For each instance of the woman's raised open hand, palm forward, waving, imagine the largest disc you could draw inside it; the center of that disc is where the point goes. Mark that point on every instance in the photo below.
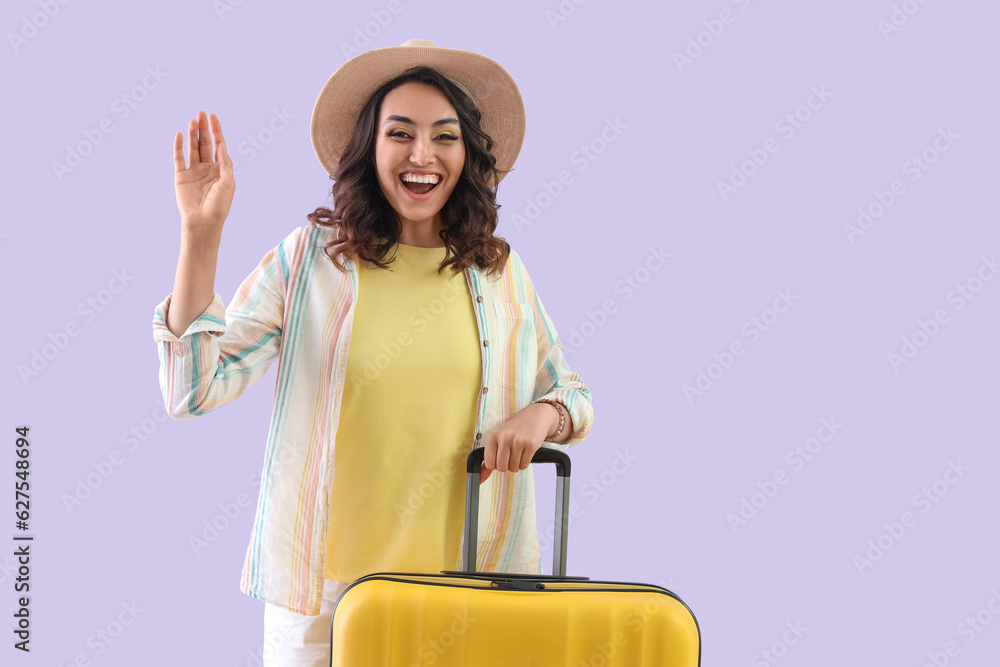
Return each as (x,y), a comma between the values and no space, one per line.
(204,189)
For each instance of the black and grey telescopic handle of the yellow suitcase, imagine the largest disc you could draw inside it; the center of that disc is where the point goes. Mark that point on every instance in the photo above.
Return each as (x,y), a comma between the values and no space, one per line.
(471,531)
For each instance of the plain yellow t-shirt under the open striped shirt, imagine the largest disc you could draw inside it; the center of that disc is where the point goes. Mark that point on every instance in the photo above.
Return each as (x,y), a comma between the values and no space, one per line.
(407,420)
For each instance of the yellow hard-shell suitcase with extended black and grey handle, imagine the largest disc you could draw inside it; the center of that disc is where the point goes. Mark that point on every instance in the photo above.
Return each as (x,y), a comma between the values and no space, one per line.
(486,619)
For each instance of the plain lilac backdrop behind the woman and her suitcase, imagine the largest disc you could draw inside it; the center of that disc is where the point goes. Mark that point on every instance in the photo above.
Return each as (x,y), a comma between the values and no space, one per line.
(662,519)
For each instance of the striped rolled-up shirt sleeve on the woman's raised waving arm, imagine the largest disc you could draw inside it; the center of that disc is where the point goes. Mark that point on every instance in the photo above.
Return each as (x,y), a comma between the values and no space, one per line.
(224,350)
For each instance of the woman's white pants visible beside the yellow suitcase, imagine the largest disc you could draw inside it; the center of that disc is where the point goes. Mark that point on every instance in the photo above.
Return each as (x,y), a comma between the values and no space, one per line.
(297,640)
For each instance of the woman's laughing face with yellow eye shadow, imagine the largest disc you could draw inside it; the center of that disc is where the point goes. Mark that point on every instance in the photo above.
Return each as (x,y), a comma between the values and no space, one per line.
(418,133)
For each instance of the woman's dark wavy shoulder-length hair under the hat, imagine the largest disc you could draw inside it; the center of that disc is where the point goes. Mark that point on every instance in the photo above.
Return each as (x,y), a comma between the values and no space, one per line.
(365,216)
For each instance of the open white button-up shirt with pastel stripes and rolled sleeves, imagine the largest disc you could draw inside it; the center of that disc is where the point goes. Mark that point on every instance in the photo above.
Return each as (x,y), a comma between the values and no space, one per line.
(297,308)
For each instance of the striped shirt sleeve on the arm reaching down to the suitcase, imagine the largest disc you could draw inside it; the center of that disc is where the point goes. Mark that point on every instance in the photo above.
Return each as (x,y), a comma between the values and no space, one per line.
(554,379)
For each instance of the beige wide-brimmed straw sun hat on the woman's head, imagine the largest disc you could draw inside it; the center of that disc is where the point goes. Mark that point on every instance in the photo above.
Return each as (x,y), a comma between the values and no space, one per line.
(346,92)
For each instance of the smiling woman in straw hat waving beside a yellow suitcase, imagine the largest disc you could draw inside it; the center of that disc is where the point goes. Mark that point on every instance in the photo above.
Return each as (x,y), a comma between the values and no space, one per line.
(405,332)
